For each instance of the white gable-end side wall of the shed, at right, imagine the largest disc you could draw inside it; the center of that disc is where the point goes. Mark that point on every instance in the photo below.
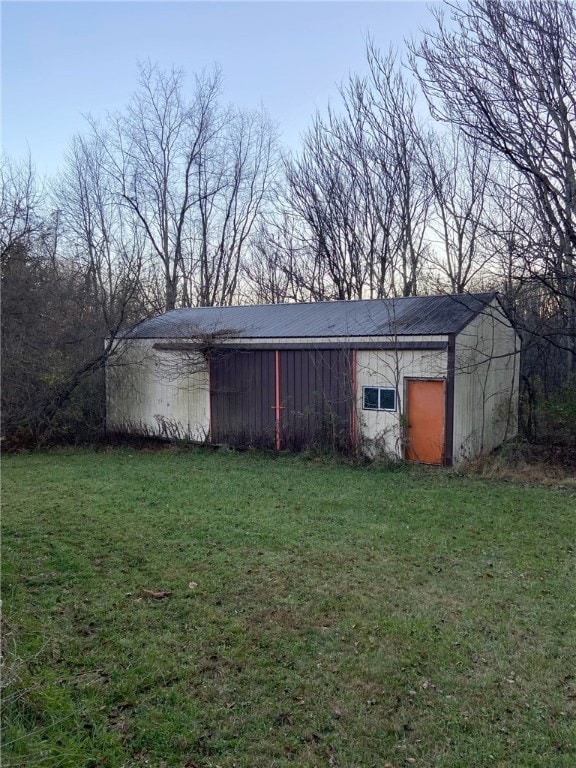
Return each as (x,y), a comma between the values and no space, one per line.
(485,385)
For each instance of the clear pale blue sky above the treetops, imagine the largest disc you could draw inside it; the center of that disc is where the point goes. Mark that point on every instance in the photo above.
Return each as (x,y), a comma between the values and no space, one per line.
(61,60)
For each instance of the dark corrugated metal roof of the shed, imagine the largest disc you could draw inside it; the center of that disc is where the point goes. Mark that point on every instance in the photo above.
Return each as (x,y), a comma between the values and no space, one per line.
(409,316)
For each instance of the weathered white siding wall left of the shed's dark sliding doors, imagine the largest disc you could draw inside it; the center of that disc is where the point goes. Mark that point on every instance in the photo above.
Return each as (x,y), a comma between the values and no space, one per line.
(157,392)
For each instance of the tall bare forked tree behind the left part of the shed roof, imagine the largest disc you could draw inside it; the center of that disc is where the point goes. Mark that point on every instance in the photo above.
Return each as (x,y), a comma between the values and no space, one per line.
(153,148)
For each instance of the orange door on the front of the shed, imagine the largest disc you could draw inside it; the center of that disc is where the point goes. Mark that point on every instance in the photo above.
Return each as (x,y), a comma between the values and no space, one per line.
(425,417)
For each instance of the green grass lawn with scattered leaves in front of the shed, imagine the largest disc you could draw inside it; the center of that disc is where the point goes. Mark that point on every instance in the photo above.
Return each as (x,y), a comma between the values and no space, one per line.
(319,614)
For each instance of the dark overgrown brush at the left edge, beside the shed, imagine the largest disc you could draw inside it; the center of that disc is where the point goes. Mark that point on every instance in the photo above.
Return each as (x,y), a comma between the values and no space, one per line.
(51,392)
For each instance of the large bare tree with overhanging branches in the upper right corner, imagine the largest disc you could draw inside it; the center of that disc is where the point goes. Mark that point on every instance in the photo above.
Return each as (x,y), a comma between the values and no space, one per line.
(504,73)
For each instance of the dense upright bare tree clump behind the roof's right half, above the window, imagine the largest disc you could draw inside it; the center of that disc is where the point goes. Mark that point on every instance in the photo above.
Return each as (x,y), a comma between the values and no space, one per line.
(361,186)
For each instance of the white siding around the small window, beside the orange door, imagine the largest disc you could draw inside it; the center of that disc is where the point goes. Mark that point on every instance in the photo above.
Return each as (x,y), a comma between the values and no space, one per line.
(381,431)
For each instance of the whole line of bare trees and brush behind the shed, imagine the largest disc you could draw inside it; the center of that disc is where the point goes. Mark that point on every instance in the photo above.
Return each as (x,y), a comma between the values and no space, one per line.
(180,200)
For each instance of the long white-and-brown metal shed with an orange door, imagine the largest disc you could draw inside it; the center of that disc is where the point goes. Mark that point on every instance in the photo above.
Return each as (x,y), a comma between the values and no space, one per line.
(431,379)
